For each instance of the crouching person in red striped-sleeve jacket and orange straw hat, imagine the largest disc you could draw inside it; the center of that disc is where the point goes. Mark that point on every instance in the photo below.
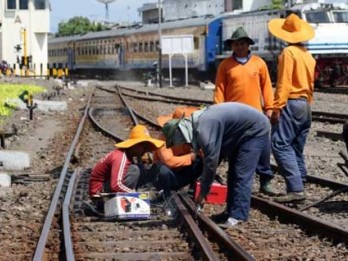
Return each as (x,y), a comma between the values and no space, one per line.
(118,171)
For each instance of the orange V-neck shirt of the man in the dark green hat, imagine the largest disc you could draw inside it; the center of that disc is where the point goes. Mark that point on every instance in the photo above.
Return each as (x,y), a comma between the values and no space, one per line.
(247,83)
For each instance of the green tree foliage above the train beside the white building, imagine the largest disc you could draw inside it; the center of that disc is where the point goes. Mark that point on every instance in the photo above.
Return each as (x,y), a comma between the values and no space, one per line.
(78,25)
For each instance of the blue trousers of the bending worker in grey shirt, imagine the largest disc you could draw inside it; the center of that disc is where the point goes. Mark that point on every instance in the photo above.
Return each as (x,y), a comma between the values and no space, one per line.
(242,165)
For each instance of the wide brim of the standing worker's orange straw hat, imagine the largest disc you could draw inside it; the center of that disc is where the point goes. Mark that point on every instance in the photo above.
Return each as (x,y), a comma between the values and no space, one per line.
(275,27)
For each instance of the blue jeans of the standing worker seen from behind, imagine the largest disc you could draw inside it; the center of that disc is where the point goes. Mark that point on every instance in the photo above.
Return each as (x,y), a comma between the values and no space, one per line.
(288,141)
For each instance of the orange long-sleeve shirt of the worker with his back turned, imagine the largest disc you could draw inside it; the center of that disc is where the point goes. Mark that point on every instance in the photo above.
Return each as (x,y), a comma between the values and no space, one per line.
(296,68)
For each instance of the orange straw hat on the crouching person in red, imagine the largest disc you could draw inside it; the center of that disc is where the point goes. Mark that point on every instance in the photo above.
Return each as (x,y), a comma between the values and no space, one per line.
(139,134)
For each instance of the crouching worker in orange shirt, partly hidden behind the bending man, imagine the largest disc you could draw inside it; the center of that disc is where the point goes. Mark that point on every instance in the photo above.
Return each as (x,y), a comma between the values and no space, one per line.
(178,166)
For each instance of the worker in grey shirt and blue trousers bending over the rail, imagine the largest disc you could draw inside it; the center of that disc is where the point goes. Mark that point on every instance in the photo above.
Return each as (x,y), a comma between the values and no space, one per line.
(233,130)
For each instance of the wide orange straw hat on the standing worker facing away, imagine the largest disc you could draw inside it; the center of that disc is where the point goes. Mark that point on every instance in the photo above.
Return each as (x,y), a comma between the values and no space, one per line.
(292,29)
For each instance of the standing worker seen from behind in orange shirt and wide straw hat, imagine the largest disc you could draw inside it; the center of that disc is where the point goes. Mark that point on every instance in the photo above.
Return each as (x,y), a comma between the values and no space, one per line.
(292,117)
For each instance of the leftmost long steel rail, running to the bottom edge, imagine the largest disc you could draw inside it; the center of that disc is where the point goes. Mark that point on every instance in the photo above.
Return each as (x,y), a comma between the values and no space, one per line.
(40,248)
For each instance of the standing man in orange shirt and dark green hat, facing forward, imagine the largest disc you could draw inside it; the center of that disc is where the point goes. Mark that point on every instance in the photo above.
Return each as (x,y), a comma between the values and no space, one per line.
(244,77)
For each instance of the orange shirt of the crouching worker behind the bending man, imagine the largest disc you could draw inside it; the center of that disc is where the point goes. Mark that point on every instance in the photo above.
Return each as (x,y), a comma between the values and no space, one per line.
(174,157)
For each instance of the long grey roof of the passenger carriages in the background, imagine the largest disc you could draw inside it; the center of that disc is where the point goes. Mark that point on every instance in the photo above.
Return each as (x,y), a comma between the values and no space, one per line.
(135,29)
